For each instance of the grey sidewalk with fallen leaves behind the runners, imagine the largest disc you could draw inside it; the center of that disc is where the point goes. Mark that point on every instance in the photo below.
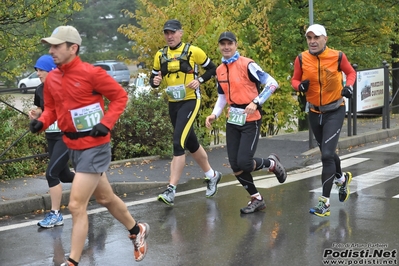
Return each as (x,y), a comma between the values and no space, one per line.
(30,194)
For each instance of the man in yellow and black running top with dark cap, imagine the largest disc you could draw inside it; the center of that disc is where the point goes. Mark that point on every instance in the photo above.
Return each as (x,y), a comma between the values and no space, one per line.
(178,63)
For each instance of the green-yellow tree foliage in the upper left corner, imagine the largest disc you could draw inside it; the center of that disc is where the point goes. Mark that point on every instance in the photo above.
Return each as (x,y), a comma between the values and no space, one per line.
(22,24)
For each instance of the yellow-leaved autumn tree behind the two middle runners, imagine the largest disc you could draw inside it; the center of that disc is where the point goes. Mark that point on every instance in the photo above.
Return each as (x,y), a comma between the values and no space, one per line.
(249,24)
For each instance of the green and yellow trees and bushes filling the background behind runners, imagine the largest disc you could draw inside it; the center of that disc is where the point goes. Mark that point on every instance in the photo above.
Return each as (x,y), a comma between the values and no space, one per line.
(269,31)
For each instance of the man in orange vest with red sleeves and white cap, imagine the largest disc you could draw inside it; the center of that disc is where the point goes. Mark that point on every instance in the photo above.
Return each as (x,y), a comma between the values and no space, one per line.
(317,74)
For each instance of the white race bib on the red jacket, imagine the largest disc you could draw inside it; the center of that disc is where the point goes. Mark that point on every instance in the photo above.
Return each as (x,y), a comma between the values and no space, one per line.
(85,118)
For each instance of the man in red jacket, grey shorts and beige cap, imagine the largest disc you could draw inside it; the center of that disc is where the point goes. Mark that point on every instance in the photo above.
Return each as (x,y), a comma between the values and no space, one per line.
(74,97)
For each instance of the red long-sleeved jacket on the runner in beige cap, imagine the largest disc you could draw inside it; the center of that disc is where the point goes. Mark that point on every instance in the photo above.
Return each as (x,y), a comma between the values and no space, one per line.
(75,85)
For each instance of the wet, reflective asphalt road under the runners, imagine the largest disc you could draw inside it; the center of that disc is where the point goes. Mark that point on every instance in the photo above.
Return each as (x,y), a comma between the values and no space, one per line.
(200,231)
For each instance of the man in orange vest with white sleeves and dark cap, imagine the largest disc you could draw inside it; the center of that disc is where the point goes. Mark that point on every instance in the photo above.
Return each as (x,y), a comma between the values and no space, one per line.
(240,90)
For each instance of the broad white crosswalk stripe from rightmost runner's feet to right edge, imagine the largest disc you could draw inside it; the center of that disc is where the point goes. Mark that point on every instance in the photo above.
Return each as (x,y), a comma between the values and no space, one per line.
(369,179)
